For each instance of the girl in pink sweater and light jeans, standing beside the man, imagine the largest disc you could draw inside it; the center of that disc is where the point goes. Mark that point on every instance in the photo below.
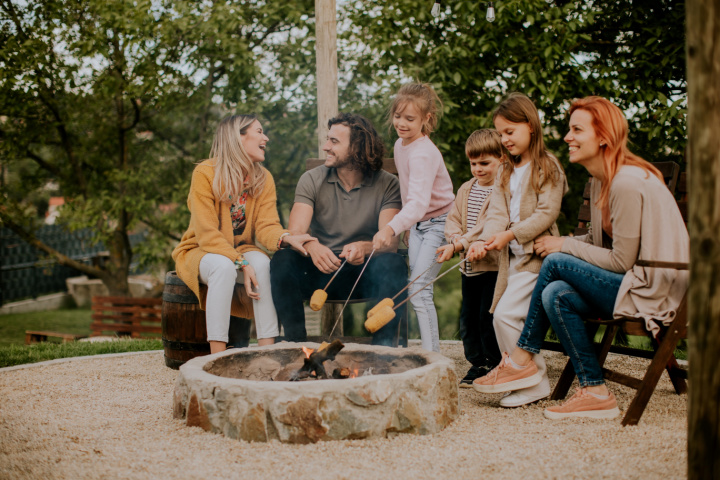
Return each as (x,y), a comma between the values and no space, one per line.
(427,195)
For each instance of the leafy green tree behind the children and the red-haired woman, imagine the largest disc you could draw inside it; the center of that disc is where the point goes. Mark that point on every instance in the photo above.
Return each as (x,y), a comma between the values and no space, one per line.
(630,51)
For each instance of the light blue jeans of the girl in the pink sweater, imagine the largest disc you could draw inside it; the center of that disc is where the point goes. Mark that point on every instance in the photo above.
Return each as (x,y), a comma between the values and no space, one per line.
(425,238)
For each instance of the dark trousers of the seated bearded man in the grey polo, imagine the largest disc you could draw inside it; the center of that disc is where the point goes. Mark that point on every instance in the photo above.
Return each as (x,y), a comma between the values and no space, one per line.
(294,278)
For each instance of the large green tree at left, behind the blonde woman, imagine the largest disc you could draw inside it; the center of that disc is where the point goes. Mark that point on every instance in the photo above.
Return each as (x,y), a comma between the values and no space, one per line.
(115,101)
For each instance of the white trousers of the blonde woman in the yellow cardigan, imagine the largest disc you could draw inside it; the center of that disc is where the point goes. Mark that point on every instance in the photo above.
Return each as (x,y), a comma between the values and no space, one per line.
(219,274)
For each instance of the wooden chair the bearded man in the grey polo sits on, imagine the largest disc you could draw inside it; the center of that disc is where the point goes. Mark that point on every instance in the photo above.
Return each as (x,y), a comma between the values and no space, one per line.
(332,306)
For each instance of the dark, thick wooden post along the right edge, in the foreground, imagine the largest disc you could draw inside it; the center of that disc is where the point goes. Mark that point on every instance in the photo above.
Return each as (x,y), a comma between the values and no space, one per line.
(703,67)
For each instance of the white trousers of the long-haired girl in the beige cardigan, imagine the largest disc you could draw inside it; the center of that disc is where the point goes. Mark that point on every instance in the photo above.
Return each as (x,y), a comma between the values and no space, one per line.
(509,320)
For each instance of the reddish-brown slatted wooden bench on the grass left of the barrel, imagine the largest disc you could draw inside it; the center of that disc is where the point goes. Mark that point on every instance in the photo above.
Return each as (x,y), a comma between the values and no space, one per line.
(126,316)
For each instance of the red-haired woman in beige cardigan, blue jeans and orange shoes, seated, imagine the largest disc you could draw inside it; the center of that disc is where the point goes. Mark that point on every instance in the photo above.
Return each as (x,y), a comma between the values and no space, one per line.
(633,217)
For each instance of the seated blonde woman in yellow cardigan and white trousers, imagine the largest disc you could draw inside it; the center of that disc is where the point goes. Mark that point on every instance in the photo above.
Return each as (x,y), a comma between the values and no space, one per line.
(233,206)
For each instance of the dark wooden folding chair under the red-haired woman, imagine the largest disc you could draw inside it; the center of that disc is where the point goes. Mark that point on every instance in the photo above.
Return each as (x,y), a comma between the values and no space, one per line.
(662,358)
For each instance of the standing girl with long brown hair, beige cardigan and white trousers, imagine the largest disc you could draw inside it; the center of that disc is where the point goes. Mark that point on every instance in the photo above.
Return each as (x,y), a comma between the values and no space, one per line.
(524,206)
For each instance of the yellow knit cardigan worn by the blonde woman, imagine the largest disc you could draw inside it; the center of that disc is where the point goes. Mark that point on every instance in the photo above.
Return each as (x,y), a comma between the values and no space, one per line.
(211,231)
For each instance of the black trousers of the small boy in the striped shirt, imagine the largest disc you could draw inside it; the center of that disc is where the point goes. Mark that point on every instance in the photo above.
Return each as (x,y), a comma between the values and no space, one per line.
(476,329)
